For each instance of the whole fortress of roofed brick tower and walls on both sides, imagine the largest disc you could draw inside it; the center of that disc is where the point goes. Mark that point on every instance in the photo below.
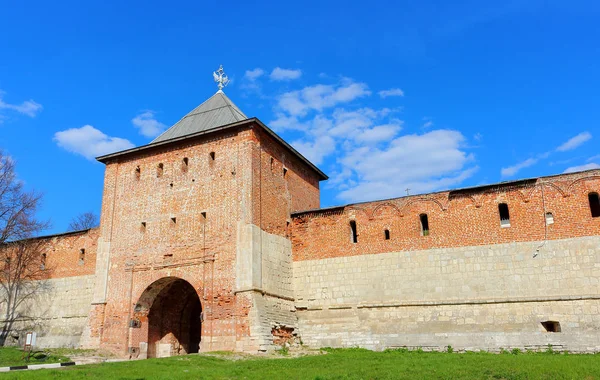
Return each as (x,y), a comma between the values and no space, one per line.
(211,238)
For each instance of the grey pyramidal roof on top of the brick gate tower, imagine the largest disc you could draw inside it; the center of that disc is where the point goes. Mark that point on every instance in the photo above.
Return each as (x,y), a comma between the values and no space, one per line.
(216,111)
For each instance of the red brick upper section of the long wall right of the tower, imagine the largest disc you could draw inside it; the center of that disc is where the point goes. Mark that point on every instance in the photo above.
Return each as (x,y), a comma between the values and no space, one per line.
(460,218)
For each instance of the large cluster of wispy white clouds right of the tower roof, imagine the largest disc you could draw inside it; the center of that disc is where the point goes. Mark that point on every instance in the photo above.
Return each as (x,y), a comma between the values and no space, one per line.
(372,158)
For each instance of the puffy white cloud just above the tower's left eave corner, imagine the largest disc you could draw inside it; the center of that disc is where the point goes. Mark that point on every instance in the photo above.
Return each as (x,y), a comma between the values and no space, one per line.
(90,142)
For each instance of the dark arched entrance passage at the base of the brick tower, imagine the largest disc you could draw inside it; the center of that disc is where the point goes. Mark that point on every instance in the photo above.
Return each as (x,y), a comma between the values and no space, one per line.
(169,315)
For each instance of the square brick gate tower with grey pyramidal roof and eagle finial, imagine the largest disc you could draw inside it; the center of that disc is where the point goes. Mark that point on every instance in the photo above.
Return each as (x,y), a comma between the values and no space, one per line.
(194,253)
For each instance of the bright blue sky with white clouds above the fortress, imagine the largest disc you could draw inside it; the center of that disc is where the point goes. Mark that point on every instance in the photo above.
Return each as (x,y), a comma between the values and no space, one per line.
(382,96)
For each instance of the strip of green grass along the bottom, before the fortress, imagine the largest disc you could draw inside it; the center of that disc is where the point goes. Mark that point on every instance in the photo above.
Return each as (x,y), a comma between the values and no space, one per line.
(343,364)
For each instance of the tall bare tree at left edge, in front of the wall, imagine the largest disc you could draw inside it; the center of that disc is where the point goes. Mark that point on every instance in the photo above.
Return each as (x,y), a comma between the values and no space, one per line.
(20,253)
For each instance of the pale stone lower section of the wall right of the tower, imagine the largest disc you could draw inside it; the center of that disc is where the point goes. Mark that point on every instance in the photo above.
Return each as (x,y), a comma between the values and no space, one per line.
(479,297)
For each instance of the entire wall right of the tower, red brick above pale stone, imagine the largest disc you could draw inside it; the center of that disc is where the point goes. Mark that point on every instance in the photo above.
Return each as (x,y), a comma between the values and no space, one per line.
(470,283)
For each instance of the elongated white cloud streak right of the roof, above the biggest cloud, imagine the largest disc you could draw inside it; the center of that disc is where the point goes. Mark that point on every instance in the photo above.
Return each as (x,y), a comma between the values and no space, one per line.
(320,97)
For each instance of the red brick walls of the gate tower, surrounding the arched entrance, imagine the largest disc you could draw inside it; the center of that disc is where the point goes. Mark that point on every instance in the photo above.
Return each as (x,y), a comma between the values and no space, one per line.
(237,186)
